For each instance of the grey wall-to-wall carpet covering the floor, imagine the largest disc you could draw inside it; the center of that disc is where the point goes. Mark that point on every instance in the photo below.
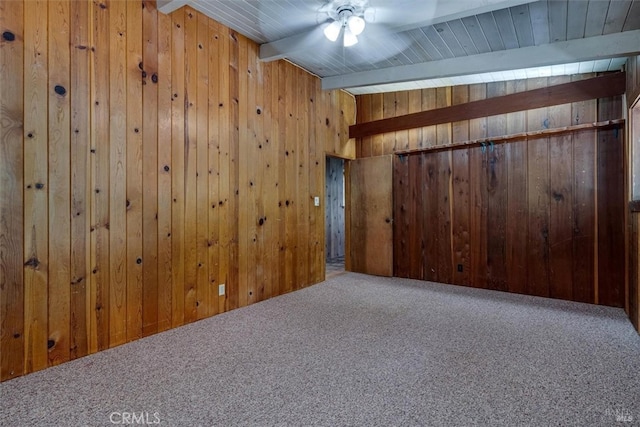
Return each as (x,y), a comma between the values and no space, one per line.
(356,350)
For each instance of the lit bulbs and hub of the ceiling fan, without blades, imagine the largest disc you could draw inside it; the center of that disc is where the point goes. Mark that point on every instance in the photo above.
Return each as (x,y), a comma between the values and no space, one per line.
(347,18)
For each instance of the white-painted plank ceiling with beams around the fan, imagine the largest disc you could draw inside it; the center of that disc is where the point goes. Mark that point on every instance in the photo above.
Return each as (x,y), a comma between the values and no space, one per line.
(414,32)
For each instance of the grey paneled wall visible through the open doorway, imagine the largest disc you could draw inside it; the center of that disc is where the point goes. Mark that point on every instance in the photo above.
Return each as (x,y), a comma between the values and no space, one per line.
(334,208)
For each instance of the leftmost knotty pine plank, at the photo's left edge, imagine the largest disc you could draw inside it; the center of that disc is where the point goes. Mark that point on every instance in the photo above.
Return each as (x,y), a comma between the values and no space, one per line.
(12,247)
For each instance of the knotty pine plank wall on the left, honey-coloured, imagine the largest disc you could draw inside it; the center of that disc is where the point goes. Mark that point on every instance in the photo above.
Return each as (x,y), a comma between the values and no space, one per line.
(146,159)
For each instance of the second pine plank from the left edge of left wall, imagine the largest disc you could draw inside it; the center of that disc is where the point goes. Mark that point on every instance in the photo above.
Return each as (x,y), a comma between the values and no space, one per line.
(36,186)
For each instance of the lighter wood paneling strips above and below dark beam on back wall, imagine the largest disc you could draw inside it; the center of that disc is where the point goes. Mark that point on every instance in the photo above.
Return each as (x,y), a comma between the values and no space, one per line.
(391,104)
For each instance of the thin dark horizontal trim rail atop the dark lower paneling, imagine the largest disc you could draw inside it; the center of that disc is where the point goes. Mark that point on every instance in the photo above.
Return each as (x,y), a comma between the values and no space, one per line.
(518,136)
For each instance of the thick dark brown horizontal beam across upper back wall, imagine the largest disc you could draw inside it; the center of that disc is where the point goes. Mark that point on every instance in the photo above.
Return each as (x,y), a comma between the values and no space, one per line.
(598,87)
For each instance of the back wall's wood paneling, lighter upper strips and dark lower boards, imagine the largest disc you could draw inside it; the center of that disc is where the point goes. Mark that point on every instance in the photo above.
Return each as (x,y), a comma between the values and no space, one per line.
(542,216)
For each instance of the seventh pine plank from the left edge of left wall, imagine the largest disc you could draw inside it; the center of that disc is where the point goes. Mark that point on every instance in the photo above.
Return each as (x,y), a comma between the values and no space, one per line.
(134,175)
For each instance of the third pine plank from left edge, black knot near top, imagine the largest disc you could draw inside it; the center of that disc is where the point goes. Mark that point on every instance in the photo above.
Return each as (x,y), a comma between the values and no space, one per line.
(59,183)
